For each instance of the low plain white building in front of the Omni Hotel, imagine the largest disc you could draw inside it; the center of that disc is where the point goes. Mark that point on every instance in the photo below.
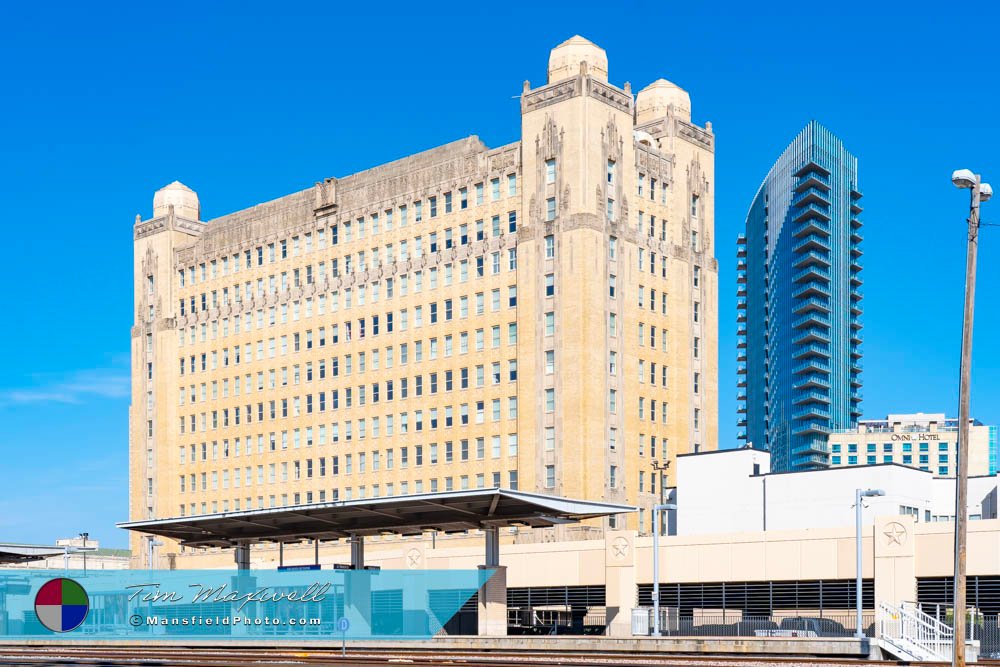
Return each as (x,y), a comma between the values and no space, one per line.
(735,491)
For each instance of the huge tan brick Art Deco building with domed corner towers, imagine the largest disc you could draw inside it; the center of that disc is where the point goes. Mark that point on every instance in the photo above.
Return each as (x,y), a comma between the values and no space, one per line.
(542,316)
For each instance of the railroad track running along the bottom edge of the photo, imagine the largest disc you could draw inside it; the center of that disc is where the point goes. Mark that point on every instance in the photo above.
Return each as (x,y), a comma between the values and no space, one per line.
(185,656)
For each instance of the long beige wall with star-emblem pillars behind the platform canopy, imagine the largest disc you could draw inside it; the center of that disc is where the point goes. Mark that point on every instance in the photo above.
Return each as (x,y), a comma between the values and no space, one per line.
(896,551)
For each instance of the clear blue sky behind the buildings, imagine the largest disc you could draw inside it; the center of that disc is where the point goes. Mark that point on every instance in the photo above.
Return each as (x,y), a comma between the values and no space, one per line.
(248,101)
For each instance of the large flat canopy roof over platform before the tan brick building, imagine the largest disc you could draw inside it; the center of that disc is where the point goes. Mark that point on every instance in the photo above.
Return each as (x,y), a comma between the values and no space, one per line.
(451,511)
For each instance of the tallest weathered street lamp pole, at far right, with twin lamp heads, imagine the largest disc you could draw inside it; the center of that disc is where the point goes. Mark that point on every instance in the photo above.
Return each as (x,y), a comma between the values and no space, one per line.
(980,192)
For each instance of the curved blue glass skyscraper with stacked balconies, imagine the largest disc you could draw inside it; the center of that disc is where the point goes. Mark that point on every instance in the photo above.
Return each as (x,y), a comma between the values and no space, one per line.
(799,289)
